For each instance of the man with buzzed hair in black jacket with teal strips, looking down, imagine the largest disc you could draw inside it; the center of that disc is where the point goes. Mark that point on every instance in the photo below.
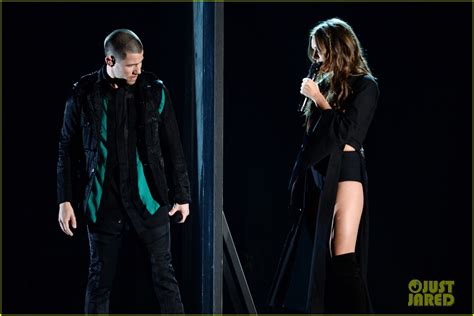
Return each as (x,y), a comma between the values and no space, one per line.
(118,143)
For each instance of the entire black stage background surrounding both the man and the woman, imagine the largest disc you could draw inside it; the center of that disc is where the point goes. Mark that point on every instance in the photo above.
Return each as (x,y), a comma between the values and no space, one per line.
(418,148)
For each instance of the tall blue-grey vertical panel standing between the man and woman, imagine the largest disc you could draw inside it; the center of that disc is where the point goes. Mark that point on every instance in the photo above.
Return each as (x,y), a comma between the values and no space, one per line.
(208,54)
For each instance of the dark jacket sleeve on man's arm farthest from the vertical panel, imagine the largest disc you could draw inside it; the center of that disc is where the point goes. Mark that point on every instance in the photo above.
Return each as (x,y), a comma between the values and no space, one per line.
(68,139)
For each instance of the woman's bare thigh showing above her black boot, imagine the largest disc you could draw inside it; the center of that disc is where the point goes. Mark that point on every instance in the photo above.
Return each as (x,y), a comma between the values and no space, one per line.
(347,214)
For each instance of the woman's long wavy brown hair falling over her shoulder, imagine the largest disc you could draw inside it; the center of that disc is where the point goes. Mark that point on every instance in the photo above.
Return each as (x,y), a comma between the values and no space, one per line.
(343,56)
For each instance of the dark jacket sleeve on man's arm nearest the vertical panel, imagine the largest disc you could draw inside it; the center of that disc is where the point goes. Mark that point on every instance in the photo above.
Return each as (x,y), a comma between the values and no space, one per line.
(170,137)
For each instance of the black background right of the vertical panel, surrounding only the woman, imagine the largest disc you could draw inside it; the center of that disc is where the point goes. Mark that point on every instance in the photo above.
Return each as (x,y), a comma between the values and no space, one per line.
(418,147)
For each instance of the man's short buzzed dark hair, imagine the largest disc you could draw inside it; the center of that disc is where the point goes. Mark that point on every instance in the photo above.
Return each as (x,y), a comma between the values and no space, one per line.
(120,42)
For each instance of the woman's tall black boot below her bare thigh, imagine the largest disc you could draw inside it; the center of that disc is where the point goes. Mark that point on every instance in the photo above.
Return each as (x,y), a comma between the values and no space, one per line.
(345,288)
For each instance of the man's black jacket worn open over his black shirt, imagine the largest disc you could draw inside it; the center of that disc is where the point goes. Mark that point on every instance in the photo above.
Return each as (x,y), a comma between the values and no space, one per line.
(157,137)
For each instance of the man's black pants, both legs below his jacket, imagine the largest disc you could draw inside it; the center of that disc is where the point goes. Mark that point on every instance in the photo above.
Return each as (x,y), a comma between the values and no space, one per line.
(104,253)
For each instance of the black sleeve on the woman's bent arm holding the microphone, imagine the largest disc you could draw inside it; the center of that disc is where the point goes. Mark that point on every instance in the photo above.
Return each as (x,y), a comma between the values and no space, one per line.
(334,128)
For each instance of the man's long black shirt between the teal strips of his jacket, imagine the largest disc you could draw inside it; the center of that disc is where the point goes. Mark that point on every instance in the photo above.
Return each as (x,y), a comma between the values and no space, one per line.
(120,202)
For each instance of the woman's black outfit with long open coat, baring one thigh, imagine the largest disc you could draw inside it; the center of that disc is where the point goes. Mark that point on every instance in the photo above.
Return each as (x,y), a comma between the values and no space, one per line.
(307,265)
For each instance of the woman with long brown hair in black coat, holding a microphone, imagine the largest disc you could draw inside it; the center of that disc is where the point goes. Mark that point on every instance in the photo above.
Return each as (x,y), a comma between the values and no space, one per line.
(324,263)
